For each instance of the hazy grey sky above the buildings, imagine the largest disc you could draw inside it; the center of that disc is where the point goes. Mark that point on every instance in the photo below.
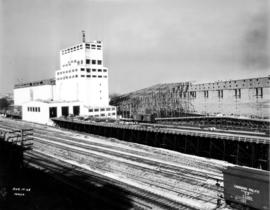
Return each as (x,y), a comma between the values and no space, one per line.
(145,41)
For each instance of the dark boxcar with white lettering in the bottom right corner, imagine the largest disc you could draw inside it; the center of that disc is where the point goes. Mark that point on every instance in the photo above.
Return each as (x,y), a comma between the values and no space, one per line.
(246,188)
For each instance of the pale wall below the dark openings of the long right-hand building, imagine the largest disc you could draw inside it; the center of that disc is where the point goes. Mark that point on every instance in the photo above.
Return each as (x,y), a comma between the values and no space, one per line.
(247,105)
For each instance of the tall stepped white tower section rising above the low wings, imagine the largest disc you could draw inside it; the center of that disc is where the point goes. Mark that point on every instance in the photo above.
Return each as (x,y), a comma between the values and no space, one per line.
(82,76)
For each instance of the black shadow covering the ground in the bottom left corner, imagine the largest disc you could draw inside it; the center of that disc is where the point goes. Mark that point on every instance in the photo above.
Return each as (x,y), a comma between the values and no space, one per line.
(31,189)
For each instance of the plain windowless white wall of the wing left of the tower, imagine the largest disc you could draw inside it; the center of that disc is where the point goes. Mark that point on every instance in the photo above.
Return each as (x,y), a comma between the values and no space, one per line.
(25,94)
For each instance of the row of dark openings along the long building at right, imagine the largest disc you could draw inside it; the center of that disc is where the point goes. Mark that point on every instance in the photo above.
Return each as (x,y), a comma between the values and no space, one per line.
(237,93)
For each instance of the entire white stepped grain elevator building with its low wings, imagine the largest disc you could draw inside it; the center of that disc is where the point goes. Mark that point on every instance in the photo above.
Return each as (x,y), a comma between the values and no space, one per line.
(80,87)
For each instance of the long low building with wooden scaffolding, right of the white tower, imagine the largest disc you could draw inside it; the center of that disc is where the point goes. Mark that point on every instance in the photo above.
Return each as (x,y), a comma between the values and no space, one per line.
(246,98)
